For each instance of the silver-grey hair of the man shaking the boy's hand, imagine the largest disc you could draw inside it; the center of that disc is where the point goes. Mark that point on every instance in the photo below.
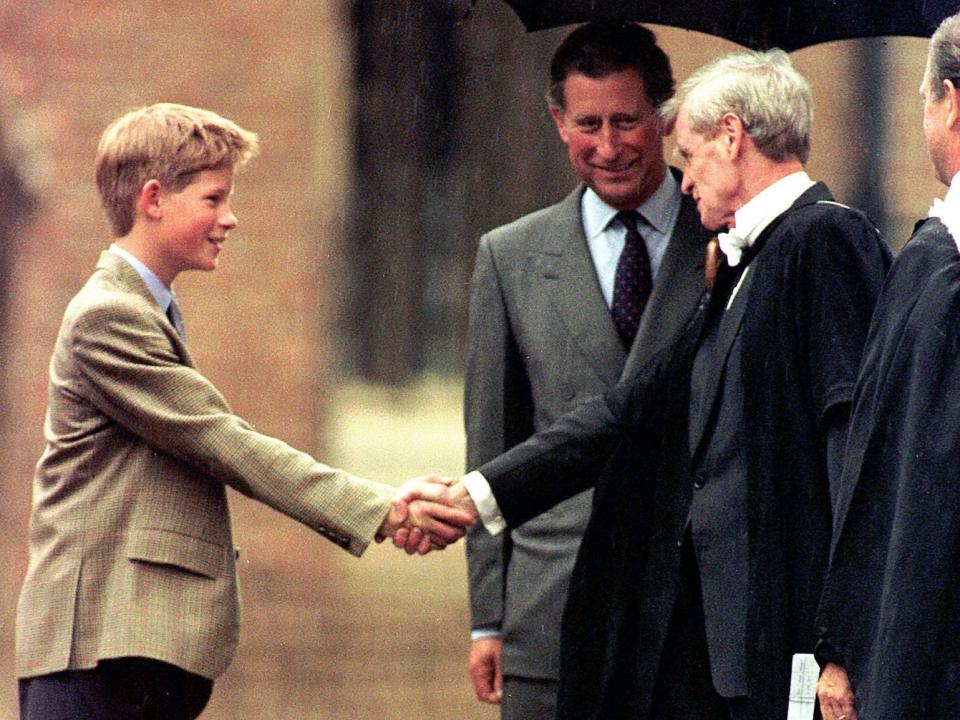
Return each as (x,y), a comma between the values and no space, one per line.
(763,89)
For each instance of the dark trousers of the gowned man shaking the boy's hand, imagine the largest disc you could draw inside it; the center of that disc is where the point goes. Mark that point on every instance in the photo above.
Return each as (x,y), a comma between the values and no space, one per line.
(684,687)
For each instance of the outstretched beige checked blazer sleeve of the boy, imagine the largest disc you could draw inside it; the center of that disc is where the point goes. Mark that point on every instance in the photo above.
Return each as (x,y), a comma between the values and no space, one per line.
(131,373)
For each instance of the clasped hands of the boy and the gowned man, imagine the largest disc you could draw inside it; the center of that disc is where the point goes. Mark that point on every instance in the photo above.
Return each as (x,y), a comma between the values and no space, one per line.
(428,513)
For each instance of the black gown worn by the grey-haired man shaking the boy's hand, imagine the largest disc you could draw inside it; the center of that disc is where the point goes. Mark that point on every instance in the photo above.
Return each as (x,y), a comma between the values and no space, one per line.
(816,278)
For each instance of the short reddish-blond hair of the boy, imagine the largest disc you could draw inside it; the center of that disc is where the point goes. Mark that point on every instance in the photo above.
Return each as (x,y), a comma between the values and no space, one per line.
(167,142)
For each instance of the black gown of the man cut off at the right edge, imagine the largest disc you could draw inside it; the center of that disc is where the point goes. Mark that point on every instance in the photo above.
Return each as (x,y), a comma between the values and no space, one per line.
(891,602)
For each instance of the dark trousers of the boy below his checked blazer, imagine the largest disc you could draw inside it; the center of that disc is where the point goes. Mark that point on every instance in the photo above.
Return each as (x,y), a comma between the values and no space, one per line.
(121,689)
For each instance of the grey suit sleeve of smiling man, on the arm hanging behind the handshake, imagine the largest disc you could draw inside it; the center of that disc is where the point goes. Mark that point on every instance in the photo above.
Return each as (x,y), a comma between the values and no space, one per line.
(498,411)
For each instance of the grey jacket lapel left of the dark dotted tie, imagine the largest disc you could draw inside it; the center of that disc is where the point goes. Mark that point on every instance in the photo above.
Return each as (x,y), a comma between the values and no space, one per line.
(570,284)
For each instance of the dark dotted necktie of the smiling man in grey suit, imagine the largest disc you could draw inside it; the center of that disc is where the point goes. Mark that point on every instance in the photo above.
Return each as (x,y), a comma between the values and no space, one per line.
(633,280)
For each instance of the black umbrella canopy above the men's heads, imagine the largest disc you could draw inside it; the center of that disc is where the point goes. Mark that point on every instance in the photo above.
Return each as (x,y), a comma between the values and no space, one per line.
(759,24)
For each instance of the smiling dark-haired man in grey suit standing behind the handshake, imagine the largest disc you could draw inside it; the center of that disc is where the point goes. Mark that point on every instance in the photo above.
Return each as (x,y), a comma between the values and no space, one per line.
(566,302)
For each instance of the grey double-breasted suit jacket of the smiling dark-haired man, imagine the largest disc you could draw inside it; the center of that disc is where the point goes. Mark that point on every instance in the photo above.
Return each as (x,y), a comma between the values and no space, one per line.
(542,340)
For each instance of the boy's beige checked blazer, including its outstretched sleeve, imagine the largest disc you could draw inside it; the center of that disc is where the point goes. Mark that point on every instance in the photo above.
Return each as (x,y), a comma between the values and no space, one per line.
(130,542)
